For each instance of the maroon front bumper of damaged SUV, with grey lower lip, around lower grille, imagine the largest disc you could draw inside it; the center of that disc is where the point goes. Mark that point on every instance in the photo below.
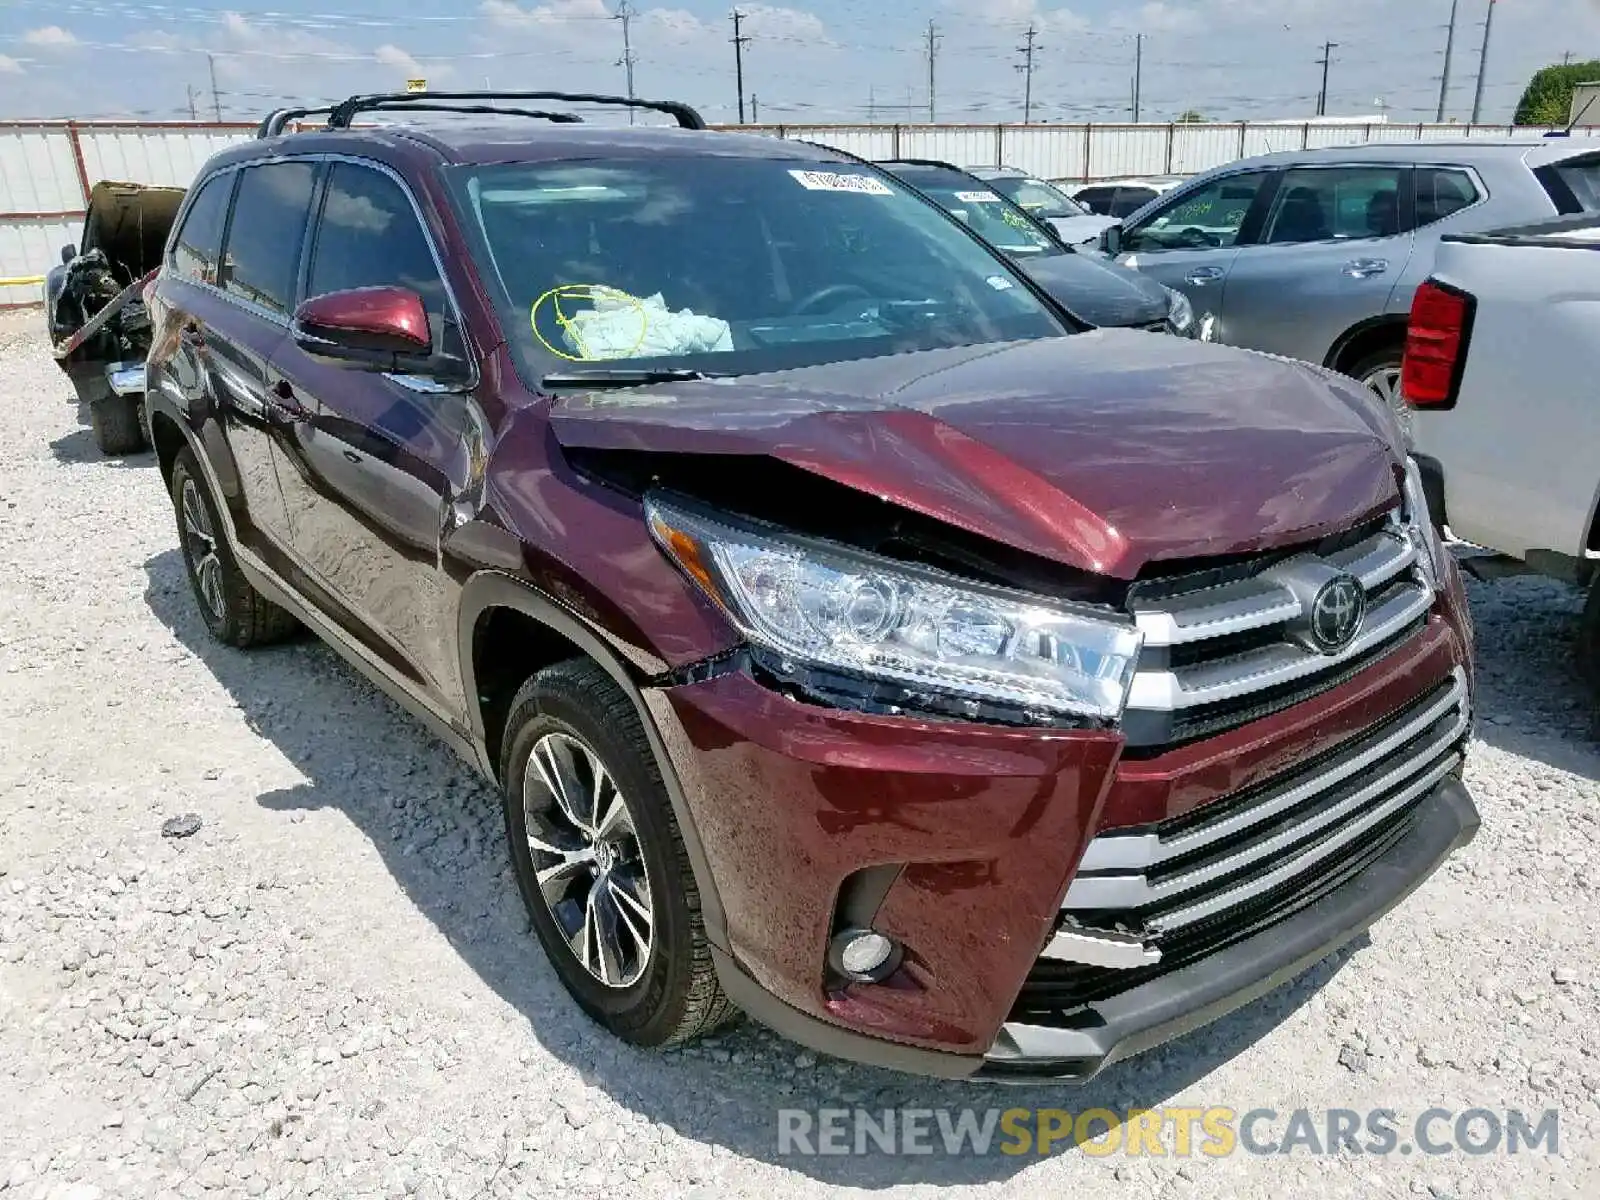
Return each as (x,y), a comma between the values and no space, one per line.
(962,841)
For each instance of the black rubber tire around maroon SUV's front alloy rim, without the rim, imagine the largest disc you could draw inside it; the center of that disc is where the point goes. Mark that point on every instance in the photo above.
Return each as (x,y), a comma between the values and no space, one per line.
(679,998)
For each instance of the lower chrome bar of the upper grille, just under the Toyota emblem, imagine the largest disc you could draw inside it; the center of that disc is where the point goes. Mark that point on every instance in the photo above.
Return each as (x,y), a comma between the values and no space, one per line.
(1279,663)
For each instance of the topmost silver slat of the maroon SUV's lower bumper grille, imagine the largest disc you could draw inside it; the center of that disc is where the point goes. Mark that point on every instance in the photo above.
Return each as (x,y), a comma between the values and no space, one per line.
(1137,852)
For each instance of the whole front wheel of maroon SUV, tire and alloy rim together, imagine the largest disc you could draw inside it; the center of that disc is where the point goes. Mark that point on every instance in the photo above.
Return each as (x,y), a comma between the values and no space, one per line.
(652,993)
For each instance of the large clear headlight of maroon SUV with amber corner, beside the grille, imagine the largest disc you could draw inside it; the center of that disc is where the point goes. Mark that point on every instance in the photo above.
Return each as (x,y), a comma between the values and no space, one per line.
(826,606)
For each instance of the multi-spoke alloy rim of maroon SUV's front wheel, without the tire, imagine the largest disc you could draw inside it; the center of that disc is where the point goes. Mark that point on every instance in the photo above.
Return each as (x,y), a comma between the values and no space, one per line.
(586,860)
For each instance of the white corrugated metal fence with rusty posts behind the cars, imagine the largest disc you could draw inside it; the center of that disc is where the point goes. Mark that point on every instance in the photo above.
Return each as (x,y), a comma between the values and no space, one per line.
(47,169)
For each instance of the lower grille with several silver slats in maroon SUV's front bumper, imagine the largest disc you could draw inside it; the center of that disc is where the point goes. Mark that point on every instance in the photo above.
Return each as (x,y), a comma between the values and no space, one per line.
(1164,879)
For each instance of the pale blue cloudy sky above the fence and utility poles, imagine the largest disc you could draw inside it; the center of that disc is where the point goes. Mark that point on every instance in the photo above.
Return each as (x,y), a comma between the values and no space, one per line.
(809,62)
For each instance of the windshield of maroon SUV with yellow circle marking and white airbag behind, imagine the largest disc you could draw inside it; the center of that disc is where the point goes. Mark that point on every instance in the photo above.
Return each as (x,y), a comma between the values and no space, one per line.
(729,266)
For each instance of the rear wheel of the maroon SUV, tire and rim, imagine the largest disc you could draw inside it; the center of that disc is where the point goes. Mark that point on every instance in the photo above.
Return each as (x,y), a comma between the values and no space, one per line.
(236,614)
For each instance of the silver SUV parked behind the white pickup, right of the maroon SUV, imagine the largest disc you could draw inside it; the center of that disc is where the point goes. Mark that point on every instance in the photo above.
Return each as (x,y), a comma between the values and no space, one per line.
(1316,254)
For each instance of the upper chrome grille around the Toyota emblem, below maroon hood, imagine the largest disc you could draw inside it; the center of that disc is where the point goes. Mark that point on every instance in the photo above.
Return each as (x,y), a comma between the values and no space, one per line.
(1210,650)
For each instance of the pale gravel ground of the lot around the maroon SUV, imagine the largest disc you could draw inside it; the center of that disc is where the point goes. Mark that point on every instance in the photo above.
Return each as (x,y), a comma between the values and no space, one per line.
(332,990)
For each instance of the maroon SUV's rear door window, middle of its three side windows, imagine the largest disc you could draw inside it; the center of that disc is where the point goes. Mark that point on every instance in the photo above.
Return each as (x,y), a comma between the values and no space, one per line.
(265,238)
